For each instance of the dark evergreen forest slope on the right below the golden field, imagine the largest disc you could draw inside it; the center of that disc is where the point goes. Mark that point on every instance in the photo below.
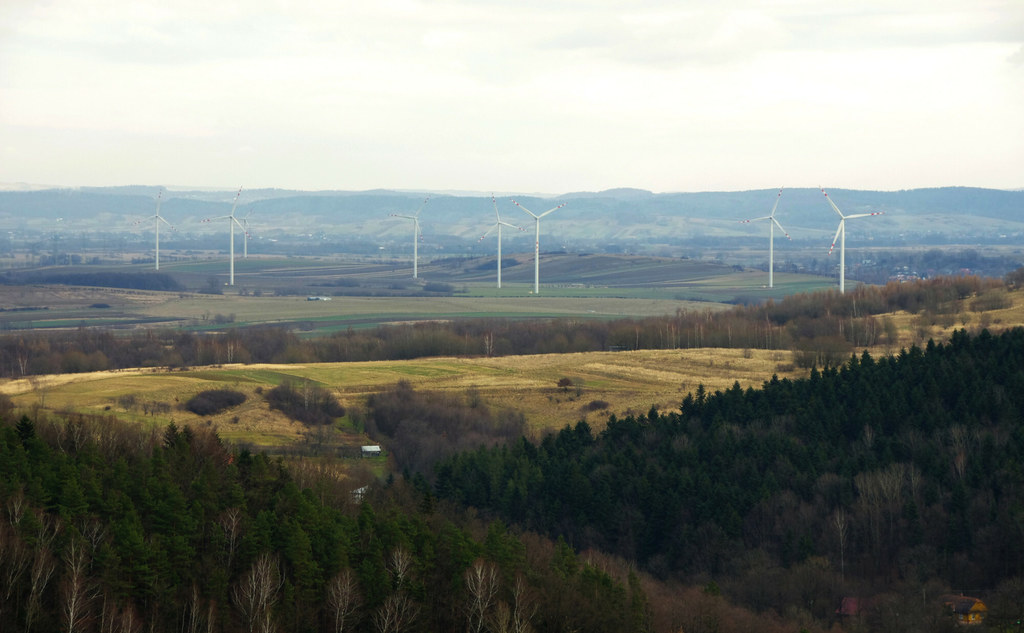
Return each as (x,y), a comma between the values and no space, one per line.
(902,471)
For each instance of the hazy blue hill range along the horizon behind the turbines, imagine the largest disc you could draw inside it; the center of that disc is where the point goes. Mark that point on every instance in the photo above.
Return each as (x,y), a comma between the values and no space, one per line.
(624,217)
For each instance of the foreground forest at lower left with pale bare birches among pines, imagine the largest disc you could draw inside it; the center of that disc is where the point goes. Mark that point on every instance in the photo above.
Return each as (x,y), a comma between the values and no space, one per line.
(106,528)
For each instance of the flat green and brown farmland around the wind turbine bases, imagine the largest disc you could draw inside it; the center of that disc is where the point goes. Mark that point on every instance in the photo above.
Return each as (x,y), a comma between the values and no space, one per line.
(368,294)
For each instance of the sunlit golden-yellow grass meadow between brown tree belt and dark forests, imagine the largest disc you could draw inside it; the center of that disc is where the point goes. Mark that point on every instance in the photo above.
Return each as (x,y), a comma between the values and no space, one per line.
(628,382)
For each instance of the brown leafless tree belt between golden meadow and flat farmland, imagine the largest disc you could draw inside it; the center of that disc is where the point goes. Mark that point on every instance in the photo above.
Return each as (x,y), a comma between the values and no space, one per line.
(823,327)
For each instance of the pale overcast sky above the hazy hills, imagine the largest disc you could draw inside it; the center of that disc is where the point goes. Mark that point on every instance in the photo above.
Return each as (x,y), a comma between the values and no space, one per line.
(526,96)
